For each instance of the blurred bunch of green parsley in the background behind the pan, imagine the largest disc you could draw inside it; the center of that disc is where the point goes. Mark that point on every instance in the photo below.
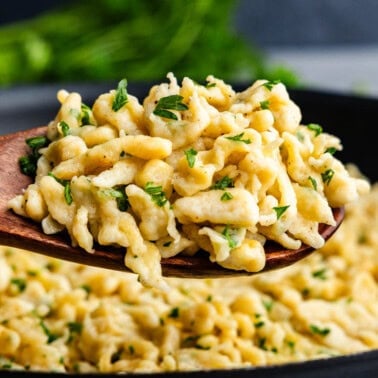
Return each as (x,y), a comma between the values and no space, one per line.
(138,39)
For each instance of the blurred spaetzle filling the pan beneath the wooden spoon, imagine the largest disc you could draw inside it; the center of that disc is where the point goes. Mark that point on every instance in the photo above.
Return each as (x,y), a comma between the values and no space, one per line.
(64,317)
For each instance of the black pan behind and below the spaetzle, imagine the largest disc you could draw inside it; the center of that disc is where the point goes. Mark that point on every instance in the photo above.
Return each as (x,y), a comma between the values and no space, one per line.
(354,119)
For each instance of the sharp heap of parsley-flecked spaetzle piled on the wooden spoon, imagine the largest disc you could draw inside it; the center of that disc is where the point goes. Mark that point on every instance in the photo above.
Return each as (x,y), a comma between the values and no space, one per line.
(191,167)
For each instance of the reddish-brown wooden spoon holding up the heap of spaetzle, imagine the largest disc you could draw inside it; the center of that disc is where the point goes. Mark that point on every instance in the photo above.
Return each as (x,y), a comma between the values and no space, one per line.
(20,232)
